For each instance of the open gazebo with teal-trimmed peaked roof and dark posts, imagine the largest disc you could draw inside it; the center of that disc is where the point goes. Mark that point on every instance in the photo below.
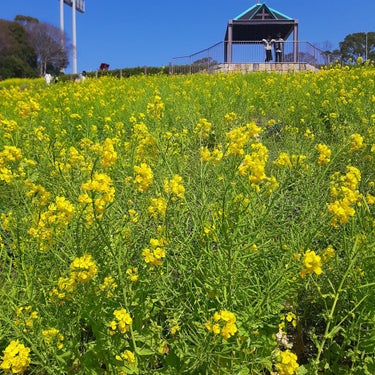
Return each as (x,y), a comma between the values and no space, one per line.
(257,23)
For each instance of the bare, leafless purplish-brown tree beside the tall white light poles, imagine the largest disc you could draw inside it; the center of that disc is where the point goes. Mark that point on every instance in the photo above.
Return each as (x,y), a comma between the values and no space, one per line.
(50,44)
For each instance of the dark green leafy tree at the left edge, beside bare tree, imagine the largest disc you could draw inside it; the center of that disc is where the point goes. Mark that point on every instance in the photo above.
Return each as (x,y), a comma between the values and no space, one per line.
(17,56)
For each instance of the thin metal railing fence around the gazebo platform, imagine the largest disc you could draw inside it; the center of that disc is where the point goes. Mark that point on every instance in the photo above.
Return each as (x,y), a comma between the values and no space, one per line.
(210,59)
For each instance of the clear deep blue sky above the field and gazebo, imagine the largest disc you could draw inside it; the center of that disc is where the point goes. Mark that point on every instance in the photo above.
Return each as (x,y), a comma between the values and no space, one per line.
(138,33)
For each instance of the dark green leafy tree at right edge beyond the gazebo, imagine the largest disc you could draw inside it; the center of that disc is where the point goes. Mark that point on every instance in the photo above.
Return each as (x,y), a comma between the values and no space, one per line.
(358,45)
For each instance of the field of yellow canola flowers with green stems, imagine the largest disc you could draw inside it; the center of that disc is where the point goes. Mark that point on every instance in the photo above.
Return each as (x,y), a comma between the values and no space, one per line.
(204,224)
